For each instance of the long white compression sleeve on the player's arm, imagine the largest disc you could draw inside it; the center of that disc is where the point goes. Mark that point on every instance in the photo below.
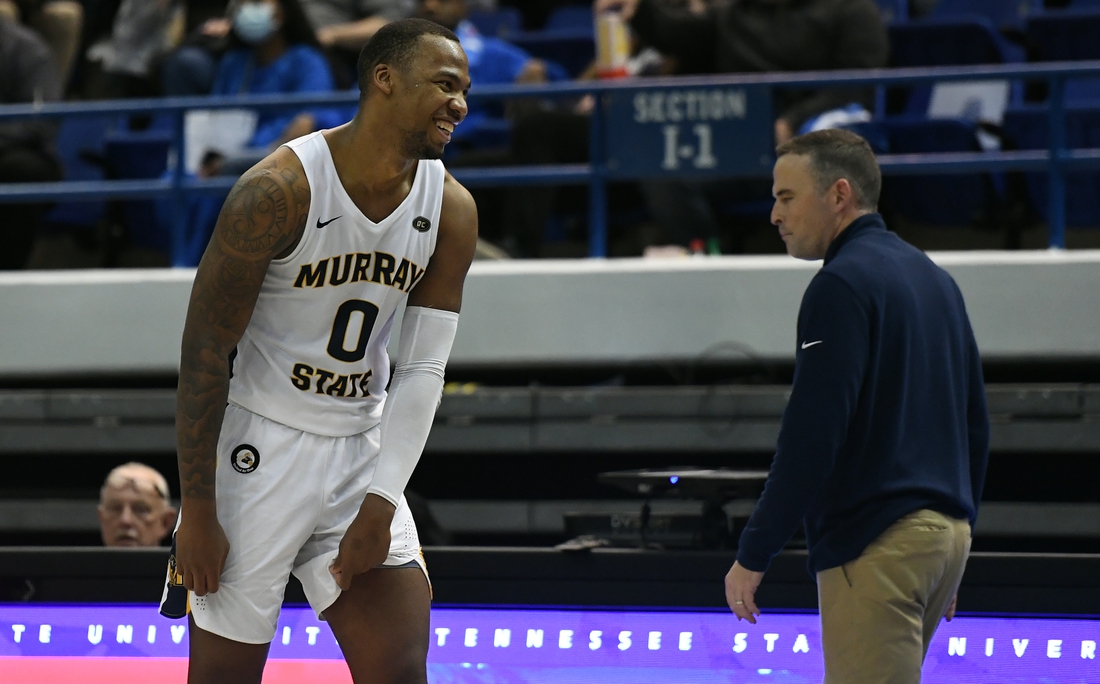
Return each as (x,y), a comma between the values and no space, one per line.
(415,393)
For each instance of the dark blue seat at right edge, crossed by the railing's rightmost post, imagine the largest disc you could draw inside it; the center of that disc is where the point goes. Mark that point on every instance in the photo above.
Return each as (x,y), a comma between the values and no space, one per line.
(1028,129)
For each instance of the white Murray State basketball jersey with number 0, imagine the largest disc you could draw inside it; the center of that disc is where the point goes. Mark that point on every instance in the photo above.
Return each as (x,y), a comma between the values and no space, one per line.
(314,356)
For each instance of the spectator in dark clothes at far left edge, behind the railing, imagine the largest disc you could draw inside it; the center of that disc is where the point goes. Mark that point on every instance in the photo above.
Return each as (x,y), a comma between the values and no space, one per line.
(28,74)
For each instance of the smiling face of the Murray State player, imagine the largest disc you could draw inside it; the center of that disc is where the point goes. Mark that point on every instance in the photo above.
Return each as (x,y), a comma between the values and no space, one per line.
(435,89)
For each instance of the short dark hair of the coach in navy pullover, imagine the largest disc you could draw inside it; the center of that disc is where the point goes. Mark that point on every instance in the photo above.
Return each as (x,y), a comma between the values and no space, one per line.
(837,155)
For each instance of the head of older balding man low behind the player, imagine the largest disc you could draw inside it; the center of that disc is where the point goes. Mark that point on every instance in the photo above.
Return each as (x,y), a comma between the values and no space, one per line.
(135,509)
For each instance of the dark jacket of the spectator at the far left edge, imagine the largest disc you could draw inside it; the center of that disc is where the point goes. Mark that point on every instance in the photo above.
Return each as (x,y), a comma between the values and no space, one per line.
(28,74)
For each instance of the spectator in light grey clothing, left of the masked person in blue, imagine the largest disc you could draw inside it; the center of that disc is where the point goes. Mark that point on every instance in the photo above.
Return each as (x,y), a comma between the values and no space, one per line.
(142,34)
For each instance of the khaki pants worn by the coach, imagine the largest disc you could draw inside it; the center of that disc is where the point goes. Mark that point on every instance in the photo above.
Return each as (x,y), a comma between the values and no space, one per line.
(881,611)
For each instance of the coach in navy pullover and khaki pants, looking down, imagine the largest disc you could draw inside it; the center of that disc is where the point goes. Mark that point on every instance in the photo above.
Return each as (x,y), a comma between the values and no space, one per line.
(885,443)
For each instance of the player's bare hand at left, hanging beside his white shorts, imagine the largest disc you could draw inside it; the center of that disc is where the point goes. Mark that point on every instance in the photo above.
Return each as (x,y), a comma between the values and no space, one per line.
(202,547)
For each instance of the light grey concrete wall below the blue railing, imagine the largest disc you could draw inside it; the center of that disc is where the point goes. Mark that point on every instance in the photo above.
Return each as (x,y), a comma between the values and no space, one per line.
(1024,305)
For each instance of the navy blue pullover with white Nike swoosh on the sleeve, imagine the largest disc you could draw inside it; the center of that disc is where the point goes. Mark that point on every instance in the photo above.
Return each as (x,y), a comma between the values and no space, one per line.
(888,407)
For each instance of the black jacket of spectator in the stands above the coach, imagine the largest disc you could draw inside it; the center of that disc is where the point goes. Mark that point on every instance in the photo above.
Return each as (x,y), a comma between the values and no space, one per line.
(774,36)
